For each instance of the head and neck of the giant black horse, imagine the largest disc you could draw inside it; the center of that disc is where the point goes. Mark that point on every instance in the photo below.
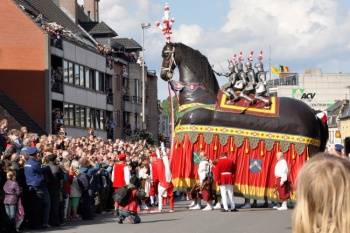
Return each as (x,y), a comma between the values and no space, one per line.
(197,82)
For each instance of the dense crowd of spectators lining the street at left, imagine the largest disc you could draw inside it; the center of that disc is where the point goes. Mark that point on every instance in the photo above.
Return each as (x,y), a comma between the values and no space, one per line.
(45,169)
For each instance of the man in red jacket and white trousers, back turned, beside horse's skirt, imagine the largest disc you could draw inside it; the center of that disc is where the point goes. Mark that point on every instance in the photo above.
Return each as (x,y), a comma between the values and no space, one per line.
(224,175)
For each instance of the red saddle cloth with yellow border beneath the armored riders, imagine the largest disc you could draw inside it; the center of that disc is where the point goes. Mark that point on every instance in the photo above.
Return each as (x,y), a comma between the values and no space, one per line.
(243,106)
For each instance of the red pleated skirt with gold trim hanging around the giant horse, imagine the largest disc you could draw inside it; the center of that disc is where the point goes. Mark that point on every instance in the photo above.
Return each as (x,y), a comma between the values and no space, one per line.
(248,183)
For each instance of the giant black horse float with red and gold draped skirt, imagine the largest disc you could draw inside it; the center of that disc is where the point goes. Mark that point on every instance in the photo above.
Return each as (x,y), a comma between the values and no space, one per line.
(251,134)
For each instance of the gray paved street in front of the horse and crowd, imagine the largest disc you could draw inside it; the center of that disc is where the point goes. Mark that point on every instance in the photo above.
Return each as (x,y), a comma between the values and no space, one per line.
(262,220)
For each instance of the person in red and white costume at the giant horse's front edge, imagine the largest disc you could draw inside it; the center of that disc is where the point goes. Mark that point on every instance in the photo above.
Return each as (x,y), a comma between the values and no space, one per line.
(165,187)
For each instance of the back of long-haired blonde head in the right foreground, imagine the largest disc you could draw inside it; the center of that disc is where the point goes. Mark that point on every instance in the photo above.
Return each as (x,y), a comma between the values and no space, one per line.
(323,196)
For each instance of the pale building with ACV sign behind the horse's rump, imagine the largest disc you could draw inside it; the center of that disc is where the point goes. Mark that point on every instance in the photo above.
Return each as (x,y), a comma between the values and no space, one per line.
(321,91)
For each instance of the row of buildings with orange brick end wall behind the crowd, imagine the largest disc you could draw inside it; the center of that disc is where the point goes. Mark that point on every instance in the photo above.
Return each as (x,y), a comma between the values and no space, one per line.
(65,68)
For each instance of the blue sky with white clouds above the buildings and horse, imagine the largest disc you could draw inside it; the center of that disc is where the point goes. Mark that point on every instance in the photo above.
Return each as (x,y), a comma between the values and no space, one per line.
(300,34)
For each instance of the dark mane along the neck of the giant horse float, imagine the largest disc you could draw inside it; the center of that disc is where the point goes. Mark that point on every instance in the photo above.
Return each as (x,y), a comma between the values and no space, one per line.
(199,65)
